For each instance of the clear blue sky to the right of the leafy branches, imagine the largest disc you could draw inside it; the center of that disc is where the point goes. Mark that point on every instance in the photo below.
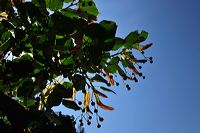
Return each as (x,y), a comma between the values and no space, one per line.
(168,100)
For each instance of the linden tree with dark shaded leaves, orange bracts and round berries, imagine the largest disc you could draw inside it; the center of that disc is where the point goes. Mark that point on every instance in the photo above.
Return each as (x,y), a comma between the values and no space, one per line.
(50,50)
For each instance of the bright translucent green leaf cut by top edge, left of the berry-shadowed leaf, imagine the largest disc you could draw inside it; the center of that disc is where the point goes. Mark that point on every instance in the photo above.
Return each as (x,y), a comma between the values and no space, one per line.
(54,4)
